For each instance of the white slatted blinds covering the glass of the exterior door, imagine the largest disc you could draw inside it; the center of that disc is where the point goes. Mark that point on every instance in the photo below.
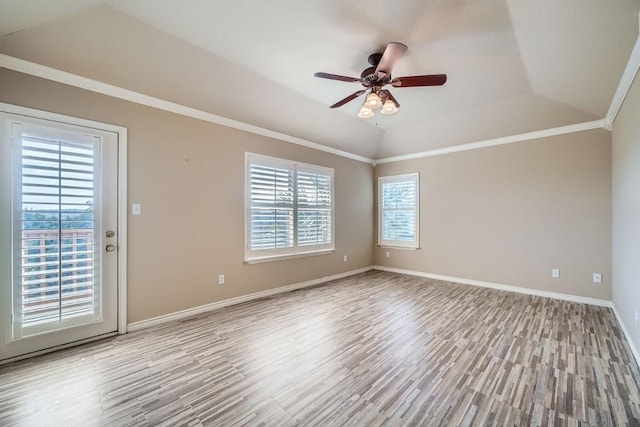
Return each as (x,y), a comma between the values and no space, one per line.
(57,204)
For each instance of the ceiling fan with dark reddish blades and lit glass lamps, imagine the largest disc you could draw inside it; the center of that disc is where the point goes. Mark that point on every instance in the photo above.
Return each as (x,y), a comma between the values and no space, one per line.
(377,76)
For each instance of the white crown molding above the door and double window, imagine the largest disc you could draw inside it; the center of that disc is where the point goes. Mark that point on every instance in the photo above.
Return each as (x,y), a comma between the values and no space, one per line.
(59,76)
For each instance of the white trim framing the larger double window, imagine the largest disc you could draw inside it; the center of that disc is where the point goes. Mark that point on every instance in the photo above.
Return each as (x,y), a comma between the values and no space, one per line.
(269,255)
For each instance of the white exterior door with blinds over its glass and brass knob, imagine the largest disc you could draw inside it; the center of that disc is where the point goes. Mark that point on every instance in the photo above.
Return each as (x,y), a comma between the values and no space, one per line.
(60,234)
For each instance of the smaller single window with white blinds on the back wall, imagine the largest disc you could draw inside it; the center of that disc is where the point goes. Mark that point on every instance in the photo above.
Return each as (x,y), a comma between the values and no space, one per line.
(398,199)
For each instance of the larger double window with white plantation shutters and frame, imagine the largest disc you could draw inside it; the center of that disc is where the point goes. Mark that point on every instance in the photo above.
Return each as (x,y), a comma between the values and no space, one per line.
(289,209)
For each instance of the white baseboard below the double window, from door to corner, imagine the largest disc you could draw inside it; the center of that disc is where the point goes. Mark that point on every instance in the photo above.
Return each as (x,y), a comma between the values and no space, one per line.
(178,315)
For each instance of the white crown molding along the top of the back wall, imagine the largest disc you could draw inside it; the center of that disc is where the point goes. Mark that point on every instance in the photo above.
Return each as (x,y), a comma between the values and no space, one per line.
(562,130)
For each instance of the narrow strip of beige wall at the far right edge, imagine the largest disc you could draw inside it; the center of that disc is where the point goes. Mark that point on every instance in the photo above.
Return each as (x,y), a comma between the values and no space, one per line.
(626,213)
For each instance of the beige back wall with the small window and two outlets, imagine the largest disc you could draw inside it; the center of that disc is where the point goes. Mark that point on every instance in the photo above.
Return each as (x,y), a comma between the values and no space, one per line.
(509,214)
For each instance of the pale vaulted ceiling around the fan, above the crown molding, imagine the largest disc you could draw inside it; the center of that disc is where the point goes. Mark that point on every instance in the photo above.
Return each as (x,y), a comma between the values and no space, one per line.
(513,66)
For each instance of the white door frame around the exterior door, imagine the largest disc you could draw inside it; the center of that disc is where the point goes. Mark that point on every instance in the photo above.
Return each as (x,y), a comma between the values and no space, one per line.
(10,110)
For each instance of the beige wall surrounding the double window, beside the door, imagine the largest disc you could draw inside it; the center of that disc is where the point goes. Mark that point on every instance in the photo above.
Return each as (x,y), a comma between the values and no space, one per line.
(189,177)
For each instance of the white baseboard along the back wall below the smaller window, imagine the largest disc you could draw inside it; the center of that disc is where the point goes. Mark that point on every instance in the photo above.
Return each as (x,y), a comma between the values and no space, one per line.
(509,288)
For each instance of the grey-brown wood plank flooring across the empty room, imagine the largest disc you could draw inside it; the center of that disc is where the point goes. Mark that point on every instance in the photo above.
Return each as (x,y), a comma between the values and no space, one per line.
(373,349)
